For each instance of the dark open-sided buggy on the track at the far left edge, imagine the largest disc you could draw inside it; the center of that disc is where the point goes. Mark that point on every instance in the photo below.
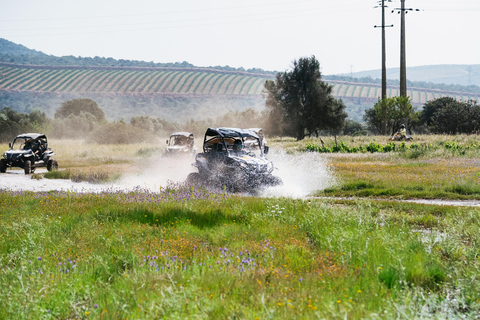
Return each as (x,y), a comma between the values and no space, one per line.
(29,151)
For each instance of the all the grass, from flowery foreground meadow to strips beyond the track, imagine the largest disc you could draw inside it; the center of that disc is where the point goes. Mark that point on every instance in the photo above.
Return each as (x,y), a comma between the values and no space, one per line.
(184,253)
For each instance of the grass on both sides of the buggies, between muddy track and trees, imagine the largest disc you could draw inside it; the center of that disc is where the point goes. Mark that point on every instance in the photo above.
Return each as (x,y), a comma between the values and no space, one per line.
(438,167)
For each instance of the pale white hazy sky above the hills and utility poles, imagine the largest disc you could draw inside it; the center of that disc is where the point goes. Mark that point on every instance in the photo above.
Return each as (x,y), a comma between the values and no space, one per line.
(267,34)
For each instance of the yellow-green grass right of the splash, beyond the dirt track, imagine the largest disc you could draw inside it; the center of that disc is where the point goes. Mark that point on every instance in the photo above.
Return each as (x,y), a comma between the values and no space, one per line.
(432,167)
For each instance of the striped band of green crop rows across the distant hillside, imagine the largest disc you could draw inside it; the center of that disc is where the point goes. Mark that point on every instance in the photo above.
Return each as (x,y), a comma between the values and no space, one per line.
(179,81)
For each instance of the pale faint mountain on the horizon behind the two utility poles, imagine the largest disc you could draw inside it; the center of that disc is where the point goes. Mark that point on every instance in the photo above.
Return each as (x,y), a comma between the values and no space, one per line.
(462,74)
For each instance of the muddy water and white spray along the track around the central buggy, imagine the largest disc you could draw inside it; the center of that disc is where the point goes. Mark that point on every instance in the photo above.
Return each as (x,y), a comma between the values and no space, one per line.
(301,173)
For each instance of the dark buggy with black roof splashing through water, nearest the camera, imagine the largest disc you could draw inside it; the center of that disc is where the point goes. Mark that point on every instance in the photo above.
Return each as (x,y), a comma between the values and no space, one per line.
(220,166)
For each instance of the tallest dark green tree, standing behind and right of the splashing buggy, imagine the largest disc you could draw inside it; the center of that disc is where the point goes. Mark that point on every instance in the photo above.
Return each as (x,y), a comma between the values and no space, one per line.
(300,103)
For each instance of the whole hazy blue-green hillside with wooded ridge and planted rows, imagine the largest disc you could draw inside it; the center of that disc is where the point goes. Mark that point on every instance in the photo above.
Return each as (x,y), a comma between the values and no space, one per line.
(174,91)
